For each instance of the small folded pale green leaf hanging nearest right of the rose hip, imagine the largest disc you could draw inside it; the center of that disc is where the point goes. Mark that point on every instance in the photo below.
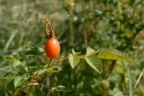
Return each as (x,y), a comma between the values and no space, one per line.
(74,60)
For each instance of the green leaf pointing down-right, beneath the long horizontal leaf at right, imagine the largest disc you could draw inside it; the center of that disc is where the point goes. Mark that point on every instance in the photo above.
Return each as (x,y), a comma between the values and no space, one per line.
(94,62)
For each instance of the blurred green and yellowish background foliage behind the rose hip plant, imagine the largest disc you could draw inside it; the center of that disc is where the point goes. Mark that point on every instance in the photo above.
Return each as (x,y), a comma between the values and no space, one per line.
(78,24)
